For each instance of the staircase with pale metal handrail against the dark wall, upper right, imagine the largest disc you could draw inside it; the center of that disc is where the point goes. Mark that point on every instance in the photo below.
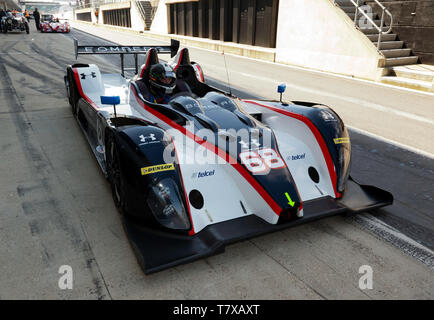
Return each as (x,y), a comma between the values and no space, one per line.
(387,42)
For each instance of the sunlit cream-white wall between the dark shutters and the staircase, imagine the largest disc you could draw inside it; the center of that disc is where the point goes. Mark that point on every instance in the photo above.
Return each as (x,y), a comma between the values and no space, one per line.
(317,35)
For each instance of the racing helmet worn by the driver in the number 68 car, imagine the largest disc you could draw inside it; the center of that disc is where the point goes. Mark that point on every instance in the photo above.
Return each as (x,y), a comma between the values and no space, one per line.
(162,78)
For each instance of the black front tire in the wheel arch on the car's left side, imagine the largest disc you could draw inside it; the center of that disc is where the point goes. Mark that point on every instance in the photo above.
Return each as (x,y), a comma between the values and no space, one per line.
(114,173)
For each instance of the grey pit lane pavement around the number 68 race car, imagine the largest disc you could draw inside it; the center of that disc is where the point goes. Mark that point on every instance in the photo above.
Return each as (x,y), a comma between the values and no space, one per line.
(56,209)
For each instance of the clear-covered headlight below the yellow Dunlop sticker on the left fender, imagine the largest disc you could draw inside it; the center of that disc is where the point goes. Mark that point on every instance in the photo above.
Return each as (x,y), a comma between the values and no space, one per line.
(165,202)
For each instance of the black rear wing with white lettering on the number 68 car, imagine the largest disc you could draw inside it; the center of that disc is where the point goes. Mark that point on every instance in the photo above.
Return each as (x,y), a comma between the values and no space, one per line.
(122,50)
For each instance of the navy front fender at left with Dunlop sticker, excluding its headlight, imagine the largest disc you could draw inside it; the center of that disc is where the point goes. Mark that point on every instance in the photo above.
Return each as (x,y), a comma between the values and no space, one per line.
(147,156)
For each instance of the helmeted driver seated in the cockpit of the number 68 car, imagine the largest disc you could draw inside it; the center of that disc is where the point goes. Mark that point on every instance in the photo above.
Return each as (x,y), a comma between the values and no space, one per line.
(162,82)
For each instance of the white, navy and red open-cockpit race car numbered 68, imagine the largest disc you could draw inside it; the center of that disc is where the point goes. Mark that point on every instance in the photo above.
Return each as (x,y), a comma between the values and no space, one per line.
(207,168)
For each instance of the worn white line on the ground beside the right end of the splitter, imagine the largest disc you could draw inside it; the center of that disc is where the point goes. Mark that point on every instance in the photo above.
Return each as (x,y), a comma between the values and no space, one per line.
(396,238)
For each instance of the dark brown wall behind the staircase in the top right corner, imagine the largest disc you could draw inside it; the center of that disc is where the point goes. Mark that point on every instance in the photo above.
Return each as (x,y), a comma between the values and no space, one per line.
(414,24)
